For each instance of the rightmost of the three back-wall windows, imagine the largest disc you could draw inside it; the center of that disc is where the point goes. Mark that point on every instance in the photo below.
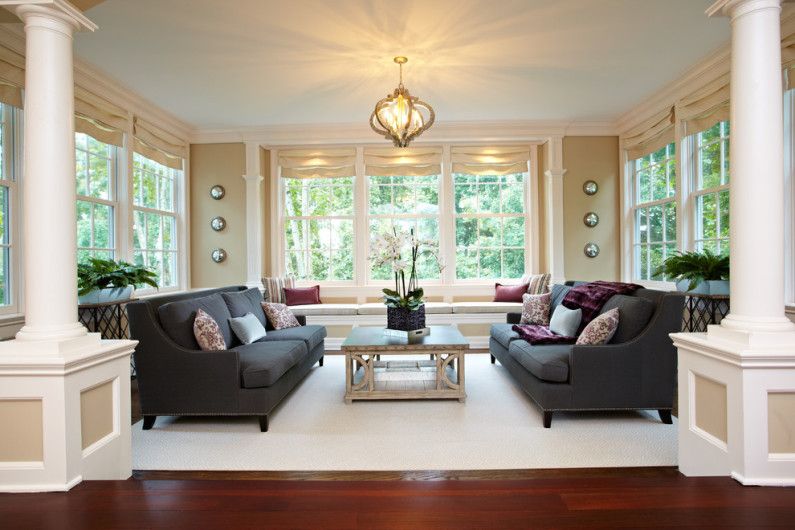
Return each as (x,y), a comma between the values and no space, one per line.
(489,225)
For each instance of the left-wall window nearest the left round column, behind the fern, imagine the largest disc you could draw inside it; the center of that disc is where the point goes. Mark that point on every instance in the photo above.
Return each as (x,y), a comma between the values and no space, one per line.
(95,168)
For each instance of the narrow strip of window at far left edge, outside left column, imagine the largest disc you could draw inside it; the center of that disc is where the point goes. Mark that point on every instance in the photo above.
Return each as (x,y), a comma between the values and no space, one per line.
(9,117)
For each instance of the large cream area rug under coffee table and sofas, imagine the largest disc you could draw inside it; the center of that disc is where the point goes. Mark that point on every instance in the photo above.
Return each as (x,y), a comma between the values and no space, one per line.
(498,427)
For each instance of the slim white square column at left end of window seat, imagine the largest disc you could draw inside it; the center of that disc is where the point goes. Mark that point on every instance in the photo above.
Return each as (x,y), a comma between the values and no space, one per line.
(254,220)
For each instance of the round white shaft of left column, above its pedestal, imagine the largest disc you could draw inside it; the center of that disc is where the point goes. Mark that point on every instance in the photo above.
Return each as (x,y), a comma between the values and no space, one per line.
(48,211)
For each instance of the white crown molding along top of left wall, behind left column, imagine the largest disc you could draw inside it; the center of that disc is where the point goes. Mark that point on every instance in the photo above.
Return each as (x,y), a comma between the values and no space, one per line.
(103,85)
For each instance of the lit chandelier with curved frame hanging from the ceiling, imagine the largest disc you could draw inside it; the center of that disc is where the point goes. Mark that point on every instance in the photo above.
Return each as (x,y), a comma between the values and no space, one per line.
(397,117)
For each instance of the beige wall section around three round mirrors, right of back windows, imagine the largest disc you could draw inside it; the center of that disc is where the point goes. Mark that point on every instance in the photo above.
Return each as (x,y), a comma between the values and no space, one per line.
(591,158)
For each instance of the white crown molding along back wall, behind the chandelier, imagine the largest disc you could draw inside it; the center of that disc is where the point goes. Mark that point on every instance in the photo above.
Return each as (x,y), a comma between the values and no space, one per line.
(360,133)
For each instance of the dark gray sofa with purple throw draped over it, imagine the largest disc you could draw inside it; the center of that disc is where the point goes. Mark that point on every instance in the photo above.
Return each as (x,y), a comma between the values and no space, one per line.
(635,370)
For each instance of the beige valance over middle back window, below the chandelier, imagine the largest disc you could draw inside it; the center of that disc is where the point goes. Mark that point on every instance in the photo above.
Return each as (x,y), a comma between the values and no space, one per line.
(409,161)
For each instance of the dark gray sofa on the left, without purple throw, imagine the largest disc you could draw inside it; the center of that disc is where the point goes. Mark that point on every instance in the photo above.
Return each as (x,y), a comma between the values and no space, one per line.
(176,378)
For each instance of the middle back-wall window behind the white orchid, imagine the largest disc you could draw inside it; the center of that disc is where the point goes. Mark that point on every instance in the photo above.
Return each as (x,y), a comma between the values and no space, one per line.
(405,203)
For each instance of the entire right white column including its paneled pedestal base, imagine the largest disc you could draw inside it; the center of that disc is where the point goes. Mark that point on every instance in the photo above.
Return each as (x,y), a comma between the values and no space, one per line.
(737,381)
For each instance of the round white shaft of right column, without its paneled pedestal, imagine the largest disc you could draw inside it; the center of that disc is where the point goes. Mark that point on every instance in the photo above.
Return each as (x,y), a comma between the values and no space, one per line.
(757,187)
